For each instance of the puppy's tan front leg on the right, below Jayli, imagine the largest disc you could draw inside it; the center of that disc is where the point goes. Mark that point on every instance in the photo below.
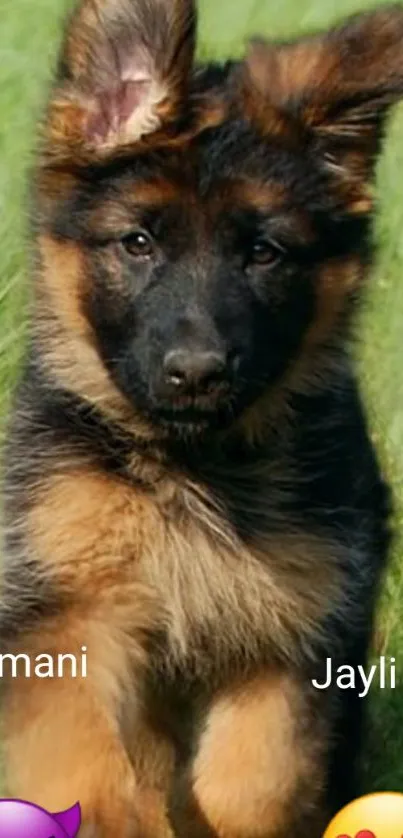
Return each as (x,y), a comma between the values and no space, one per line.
(260,765)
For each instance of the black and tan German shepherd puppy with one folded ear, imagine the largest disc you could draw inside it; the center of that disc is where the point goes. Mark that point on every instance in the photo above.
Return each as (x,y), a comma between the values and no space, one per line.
(191,492)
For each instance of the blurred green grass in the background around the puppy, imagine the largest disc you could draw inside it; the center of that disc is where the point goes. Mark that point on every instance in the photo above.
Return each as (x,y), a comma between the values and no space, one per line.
(29,36)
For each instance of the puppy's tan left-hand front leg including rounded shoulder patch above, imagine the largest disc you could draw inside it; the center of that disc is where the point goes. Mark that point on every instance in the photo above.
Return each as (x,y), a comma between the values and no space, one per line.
(65,736)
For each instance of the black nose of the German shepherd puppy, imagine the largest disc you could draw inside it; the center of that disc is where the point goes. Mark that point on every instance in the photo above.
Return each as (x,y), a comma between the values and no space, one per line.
(186,369)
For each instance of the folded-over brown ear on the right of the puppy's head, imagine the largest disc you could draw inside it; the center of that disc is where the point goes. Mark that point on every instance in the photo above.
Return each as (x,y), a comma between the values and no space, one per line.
(331,93)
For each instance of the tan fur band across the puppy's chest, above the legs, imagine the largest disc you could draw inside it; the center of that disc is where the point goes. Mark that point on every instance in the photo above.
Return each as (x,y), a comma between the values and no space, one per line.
(182,566)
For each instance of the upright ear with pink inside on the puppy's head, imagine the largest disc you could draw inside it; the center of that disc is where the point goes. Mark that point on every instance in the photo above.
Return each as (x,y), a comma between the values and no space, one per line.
(123,74)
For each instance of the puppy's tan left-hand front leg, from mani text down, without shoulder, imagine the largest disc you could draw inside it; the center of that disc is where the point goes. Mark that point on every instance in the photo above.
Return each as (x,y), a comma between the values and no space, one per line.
(63,740)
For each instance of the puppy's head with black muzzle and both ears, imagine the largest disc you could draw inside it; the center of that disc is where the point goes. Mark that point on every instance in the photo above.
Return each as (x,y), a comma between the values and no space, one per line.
(203,231)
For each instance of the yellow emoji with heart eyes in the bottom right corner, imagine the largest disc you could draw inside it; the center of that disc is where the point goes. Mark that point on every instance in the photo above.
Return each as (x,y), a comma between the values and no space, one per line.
(374,816)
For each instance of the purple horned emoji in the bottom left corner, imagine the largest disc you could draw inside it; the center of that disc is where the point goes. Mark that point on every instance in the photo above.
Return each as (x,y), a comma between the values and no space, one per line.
(19,819)
